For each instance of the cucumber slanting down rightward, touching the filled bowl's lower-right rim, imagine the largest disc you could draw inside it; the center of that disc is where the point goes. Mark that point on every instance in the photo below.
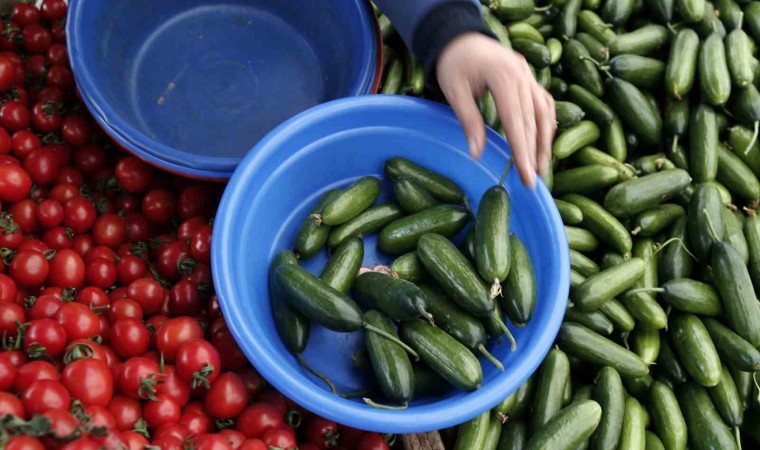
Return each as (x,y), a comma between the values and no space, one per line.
(580,341)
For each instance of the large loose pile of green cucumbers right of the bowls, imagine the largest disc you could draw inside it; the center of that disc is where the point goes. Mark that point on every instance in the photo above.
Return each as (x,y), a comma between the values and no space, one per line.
(655,173)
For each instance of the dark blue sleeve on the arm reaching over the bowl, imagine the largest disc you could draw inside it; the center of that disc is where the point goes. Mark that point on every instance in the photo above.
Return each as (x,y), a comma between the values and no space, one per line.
(426,26)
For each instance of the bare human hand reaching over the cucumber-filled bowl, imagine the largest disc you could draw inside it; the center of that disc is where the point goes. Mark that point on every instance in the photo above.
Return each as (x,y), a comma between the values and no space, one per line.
(472,63)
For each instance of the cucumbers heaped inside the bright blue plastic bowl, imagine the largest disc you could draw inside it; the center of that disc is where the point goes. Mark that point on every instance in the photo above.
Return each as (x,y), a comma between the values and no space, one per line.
(438,304)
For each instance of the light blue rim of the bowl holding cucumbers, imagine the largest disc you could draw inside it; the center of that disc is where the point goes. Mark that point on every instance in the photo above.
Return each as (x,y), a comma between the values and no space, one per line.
(321,401)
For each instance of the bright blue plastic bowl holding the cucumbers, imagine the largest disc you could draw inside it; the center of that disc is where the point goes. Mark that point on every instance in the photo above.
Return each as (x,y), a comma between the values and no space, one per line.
(329,146)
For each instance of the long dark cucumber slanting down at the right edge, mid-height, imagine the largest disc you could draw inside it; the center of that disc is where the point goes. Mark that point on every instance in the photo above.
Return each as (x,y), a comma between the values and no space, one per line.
(734,284)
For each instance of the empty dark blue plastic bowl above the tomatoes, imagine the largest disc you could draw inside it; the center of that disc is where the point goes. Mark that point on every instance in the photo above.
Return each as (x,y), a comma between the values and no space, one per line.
(191,85)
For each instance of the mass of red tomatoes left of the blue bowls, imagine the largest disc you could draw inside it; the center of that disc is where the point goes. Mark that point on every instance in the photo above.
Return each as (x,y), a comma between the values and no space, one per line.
(112,335)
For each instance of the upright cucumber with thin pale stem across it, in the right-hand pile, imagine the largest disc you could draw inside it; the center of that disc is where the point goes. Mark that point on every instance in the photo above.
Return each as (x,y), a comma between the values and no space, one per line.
(705,209)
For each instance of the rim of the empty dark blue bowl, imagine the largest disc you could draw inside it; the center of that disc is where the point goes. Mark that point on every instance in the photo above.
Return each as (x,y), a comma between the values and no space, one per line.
(174,160)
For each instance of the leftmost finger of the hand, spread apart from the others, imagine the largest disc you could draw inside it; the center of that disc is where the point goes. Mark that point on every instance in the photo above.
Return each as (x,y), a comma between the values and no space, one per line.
(461,98)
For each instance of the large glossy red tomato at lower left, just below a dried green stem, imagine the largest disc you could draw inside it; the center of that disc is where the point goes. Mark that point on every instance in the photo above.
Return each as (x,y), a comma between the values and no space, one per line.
(89,381)
